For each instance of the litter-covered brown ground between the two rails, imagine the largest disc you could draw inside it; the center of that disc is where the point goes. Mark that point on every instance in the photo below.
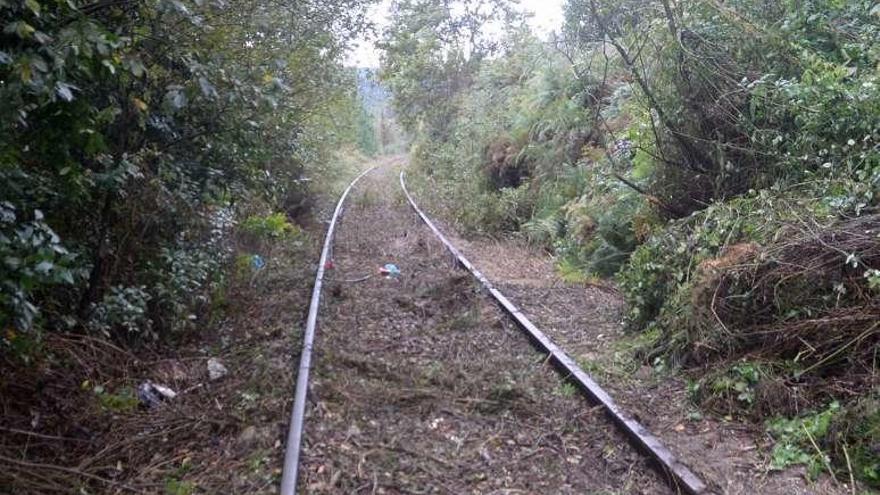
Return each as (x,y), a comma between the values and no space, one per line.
(421,385)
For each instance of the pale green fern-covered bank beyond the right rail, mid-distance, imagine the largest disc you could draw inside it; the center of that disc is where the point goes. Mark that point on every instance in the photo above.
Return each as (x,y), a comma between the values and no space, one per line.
(537,124)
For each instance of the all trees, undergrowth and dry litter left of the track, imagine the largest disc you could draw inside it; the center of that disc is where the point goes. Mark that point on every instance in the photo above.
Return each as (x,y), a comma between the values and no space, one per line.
(160,166)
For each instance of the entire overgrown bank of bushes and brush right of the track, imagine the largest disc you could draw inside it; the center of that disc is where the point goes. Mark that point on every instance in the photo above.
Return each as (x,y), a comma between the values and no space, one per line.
(720,159)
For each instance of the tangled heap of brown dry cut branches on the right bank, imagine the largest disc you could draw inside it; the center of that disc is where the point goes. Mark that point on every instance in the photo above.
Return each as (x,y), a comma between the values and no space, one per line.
(805,298)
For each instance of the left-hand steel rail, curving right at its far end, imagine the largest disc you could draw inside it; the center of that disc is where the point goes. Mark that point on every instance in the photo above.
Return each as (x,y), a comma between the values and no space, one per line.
(297,415)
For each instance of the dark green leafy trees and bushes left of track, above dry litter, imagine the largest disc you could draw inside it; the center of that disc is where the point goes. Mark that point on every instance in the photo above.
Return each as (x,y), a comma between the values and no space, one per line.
(134,135)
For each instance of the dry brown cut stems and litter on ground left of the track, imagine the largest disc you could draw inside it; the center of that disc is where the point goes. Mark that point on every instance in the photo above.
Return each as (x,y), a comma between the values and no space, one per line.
(71,420)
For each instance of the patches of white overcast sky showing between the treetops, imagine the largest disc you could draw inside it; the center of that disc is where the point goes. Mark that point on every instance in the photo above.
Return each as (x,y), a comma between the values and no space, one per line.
(547,18)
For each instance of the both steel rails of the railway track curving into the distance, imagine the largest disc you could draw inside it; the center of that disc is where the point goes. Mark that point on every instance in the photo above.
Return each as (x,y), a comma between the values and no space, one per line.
(679,478)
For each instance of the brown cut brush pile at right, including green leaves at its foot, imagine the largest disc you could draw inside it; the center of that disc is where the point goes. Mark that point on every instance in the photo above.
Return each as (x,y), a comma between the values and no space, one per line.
(799,323)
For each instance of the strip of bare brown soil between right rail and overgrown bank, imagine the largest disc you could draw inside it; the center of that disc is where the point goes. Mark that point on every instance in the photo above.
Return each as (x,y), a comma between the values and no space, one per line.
(586,320)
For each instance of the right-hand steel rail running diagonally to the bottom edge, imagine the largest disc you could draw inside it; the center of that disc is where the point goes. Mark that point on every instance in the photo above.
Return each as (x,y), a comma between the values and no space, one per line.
(676,473)
